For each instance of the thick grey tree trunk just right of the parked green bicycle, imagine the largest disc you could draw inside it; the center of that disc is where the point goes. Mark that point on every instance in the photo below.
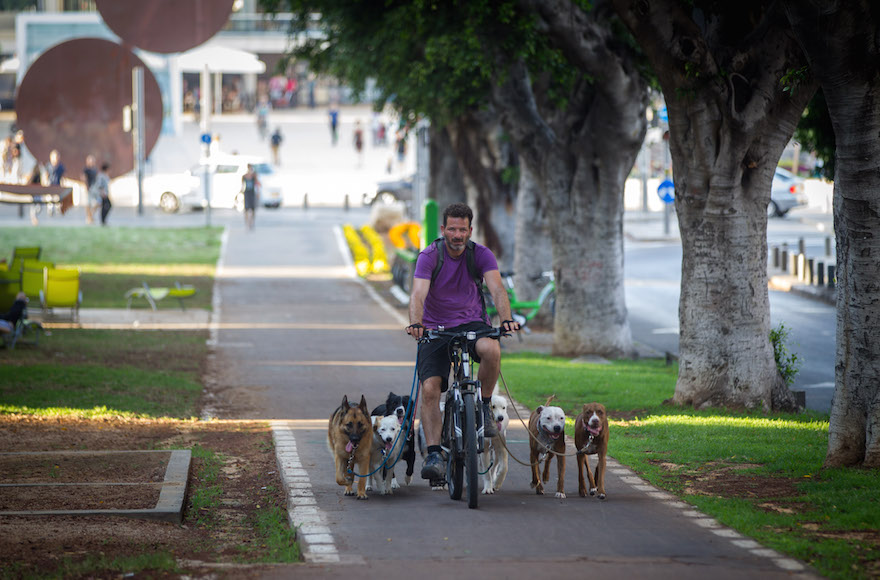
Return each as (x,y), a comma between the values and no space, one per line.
(580,154)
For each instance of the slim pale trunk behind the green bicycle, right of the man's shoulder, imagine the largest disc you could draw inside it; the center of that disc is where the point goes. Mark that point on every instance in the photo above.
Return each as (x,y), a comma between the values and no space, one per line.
(534,250)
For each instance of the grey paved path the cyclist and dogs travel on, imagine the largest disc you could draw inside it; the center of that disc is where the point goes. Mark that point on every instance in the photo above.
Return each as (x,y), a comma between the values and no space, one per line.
(296,331)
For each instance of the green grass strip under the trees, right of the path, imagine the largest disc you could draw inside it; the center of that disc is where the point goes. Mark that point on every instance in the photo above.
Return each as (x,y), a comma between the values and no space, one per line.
(758,474)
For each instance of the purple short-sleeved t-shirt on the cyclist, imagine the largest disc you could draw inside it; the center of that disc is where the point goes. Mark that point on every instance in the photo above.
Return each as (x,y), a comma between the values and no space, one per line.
(453,299)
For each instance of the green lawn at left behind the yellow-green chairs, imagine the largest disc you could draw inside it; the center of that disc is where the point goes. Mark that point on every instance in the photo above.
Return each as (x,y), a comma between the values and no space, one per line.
(115,260)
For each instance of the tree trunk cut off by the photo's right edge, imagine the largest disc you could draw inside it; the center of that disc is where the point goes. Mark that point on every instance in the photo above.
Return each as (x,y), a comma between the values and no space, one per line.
(839,41)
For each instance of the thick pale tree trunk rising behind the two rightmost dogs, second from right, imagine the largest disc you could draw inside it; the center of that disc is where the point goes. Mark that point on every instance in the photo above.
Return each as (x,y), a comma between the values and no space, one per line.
(729,119)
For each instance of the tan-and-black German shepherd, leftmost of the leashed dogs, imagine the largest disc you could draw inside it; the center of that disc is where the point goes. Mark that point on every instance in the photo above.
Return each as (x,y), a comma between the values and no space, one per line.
(349,437)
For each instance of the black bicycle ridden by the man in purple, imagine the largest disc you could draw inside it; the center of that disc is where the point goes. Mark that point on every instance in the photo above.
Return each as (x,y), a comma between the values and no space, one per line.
(462,431)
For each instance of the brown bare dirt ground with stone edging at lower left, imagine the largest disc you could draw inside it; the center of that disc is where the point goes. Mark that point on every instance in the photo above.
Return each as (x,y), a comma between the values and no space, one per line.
(35,546)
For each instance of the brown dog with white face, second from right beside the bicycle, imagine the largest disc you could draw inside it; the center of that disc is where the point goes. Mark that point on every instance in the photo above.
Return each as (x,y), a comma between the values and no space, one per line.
(547,428)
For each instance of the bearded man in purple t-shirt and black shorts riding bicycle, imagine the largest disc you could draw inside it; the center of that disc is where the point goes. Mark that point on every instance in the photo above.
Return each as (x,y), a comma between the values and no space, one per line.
(453,300)
